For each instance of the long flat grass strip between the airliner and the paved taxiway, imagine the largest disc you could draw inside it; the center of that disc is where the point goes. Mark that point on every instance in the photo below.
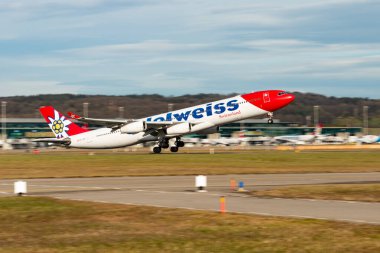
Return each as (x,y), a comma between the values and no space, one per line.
(81,164)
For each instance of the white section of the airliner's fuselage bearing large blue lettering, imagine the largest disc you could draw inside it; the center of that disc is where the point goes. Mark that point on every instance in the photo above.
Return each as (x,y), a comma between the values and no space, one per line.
(204,116)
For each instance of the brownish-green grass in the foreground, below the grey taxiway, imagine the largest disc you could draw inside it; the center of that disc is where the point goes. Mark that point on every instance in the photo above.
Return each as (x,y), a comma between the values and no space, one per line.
(30,224)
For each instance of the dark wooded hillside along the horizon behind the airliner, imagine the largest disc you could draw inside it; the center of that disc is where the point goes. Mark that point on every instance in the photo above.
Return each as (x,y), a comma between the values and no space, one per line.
(333,110)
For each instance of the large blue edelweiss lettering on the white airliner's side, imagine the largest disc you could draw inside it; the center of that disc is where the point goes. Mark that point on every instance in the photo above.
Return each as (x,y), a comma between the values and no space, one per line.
(200,112)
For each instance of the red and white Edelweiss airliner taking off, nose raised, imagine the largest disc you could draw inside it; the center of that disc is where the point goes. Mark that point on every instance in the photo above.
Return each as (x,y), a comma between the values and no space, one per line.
(202,119)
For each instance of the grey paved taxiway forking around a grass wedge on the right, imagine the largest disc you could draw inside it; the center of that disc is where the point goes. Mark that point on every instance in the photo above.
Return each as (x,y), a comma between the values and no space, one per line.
(179,192)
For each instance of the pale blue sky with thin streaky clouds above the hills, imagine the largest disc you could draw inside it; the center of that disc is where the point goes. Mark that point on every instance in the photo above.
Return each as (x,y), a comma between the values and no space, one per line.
(176,47)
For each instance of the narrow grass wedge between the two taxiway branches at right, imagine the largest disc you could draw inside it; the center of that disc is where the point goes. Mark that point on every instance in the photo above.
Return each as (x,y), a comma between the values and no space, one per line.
(352,192)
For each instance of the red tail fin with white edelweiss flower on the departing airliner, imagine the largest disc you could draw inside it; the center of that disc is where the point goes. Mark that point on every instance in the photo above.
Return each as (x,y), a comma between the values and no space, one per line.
(58,123)
